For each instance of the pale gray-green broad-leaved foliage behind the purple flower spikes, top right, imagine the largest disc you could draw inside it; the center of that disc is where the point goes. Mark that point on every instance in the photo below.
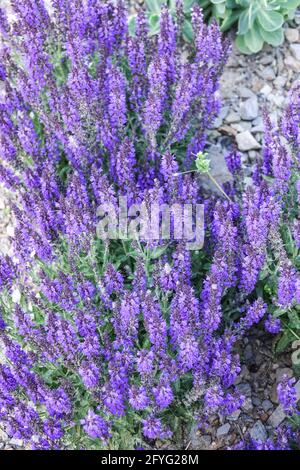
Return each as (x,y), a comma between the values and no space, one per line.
(257,21)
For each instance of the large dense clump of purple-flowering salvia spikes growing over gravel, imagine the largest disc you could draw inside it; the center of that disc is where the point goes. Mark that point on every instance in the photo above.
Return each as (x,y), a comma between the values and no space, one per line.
(104,342)
